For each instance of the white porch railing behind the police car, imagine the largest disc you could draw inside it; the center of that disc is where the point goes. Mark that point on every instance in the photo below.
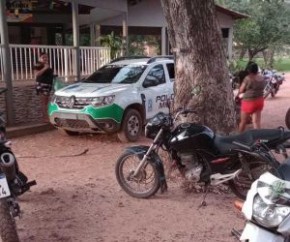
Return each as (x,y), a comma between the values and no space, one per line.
(61,58)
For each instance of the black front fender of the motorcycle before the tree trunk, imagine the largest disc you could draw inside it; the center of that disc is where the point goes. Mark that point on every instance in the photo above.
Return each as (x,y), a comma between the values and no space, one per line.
(154,158)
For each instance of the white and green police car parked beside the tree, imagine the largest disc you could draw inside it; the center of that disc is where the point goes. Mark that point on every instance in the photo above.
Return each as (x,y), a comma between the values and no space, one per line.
(119,97)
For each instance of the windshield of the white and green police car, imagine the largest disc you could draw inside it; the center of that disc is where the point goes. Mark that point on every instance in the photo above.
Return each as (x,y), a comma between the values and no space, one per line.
(117,74)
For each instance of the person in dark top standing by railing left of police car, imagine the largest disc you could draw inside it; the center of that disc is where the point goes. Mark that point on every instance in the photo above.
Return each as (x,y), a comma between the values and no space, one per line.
(44,79)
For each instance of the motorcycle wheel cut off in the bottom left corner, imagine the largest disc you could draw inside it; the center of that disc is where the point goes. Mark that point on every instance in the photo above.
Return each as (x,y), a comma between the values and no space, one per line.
(8,232)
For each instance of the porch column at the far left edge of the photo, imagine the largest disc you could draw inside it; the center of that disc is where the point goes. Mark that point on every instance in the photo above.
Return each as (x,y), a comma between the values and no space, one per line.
(6,63)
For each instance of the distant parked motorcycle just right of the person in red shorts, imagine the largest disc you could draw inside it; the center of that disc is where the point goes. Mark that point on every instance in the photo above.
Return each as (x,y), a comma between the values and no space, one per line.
(274,80)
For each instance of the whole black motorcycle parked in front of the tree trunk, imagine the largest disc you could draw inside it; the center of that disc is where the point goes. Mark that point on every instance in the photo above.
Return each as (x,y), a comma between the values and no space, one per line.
(199,154)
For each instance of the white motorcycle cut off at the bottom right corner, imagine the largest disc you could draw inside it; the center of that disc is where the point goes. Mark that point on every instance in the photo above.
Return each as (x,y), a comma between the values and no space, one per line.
(267,208)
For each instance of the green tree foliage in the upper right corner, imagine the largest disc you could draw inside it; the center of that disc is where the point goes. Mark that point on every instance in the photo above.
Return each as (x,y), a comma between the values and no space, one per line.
(266,27)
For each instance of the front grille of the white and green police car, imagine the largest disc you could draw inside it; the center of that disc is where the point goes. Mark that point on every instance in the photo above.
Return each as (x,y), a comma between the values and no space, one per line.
(72,102)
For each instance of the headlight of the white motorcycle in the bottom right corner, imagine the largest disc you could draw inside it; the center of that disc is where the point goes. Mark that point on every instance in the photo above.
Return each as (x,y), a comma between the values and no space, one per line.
(269,215)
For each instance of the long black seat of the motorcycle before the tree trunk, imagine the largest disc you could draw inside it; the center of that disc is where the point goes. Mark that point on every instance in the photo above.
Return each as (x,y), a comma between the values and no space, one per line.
(224,144)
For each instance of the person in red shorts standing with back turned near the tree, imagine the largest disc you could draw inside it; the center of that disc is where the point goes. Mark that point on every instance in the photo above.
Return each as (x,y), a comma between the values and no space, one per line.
(252,89)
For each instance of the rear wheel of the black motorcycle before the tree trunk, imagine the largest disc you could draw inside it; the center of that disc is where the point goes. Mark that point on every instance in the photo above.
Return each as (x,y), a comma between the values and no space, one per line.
(241,184)
